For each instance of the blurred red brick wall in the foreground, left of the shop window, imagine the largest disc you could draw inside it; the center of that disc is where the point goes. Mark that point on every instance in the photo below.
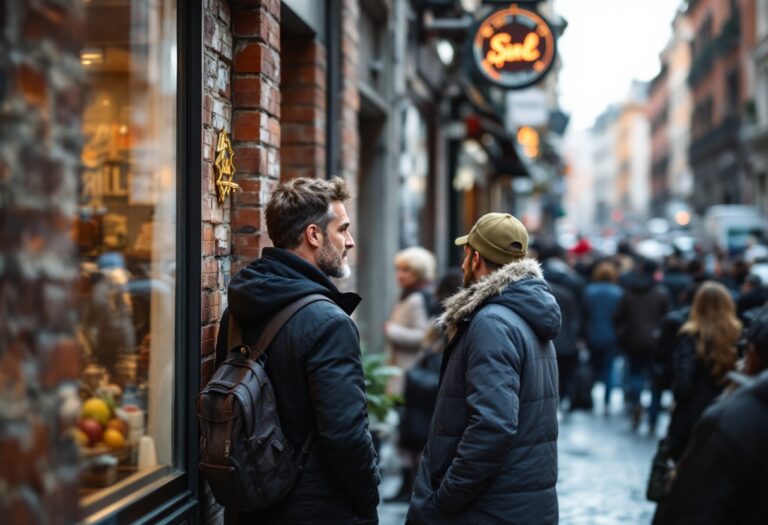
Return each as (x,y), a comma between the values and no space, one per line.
(40,108)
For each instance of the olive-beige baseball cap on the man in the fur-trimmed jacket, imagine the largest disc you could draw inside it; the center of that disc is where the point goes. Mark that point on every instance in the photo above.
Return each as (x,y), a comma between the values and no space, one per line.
(498,237)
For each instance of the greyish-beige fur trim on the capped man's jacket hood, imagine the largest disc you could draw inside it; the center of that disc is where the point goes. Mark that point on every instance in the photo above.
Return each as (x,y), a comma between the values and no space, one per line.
(466,302)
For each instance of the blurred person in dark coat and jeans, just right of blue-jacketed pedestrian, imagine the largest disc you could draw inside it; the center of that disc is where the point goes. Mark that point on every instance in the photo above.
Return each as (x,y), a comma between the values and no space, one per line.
(637,326)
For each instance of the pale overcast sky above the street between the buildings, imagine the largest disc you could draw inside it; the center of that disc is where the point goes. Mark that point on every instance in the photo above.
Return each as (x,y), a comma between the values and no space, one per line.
(606,45)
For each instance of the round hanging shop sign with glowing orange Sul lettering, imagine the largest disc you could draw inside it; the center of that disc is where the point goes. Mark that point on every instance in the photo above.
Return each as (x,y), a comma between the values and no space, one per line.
(514,47)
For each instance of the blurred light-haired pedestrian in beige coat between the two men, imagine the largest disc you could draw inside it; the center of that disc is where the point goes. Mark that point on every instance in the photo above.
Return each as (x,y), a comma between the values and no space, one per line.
(409,319)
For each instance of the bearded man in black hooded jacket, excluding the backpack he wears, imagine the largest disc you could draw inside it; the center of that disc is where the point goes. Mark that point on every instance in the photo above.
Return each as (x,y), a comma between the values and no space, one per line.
(313,362)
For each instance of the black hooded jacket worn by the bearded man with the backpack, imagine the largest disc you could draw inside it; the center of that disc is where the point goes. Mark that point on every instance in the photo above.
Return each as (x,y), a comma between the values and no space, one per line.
(316,372)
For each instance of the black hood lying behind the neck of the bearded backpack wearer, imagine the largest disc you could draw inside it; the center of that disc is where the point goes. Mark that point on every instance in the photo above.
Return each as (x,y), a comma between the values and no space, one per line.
(278,278)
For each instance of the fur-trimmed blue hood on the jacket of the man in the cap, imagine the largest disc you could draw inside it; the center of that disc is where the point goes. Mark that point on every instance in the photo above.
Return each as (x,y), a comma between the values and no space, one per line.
(519,286)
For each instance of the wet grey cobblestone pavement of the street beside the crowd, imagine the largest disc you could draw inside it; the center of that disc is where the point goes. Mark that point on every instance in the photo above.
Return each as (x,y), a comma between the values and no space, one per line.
(603,470)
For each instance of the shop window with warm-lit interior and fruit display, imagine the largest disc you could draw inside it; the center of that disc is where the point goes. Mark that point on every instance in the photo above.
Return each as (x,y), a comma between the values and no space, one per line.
(126,237)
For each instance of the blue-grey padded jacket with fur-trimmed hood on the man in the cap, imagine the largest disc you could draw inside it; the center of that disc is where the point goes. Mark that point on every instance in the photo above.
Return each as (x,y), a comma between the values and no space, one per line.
(491,456)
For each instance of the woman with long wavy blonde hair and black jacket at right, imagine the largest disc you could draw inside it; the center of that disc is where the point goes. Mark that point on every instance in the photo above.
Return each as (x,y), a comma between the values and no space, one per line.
(704,353)
